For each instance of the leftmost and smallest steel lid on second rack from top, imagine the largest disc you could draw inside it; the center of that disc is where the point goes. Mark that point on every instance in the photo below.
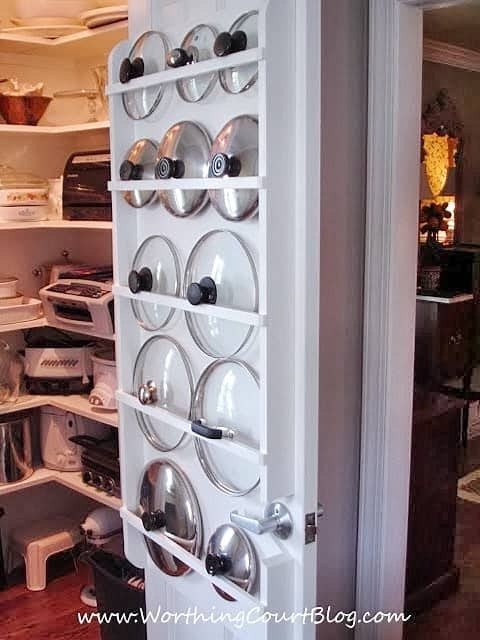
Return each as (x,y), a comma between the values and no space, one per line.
(139,164)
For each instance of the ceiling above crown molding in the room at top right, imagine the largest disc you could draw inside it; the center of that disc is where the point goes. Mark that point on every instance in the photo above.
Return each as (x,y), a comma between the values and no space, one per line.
(458,25)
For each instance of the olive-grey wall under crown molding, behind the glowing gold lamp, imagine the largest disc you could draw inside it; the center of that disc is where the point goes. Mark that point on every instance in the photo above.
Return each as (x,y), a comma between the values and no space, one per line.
(464,89)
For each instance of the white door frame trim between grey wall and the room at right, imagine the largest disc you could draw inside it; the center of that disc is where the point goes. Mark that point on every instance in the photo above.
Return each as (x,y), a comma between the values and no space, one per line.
(393,151)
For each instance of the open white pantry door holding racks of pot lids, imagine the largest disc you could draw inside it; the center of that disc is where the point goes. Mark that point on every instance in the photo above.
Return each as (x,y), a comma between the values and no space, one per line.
(248,362)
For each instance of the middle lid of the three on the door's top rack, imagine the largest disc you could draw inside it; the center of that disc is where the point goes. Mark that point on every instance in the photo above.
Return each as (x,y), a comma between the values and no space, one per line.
(196,46)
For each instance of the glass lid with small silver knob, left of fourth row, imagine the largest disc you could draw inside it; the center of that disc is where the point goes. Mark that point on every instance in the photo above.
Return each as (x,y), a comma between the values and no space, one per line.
(162,378)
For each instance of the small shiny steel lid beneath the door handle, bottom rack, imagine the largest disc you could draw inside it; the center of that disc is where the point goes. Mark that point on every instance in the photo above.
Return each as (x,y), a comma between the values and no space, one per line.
(231,555)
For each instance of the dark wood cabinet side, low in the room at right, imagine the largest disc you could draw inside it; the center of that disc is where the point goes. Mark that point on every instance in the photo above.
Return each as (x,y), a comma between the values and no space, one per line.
(431,573)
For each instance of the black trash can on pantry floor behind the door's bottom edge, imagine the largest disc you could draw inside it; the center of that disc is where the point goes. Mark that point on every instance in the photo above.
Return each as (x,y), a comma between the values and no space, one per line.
(114,579)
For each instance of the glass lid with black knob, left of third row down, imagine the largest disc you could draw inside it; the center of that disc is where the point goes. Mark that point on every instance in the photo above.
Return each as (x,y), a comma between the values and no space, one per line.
(156,269)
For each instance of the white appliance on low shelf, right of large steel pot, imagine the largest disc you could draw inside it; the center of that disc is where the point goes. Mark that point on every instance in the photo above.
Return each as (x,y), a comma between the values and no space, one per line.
(56,427)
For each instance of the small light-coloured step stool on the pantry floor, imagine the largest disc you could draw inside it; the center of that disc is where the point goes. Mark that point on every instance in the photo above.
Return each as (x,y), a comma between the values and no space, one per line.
(37,541)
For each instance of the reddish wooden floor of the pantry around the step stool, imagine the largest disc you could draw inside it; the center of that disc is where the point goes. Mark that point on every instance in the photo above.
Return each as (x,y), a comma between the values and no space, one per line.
(49,614)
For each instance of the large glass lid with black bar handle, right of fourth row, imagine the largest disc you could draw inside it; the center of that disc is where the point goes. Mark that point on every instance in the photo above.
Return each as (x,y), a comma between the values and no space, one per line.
(226,404)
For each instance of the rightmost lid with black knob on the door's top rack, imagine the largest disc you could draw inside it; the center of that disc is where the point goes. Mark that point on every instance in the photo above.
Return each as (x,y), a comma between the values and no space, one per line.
(243,34)
